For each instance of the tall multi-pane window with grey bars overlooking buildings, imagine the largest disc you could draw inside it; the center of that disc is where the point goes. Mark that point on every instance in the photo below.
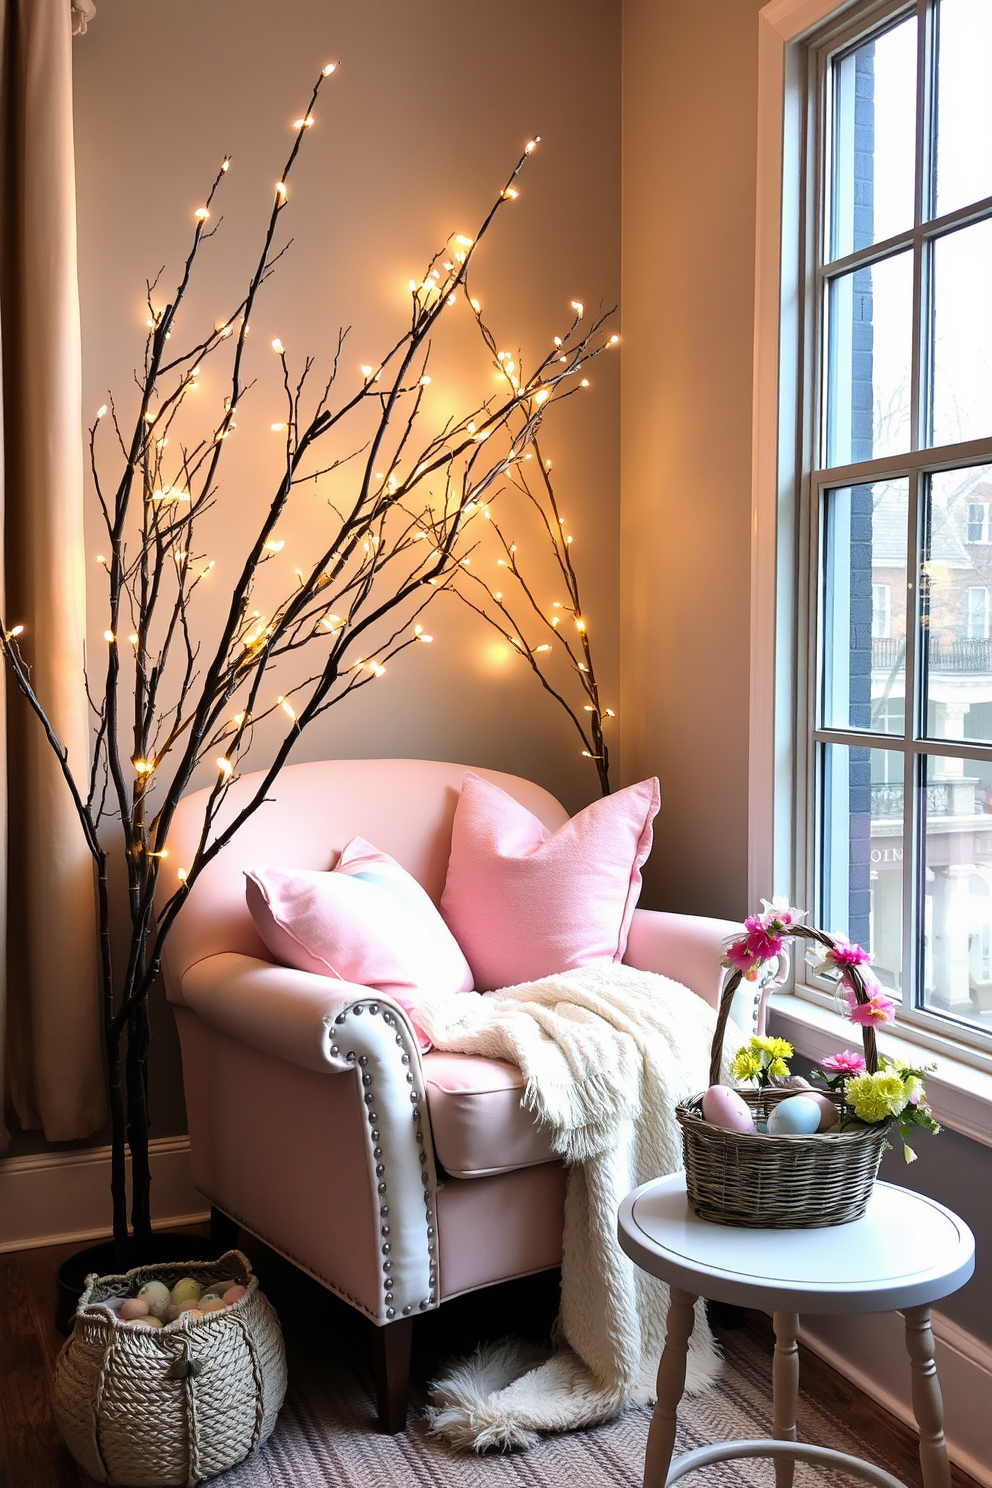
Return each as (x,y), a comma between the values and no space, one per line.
(899,712)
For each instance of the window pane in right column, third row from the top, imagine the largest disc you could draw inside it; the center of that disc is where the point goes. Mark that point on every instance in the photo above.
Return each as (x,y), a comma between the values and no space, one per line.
(957,594)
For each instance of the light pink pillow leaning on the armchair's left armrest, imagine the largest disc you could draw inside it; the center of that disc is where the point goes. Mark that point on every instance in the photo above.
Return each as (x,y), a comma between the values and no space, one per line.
(367,922)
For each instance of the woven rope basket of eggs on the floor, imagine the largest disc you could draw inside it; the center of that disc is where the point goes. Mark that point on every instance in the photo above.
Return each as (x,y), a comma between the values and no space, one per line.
(169,1408)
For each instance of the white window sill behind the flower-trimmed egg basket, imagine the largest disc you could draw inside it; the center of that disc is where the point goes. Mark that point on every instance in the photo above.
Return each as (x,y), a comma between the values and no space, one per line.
(960,1096)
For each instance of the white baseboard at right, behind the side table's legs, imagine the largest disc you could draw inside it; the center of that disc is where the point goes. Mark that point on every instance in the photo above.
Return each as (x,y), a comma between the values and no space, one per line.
(871,1352)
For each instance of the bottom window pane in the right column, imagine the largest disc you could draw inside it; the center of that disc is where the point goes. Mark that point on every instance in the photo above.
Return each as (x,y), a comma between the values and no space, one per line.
(959,889)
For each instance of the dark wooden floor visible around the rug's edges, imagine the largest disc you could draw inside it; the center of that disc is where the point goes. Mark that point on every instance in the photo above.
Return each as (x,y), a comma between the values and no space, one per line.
(33,1456)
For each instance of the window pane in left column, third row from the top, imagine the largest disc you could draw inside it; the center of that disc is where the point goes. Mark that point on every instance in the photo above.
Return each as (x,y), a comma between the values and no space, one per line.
(863,606)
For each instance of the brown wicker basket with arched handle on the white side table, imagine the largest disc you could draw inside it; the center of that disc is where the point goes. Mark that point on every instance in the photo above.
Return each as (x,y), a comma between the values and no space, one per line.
(770,1182)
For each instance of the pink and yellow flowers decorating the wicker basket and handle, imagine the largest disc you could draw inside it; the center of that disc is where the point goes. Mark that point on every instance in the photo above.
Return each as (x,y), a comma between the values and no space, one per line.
(871,1090)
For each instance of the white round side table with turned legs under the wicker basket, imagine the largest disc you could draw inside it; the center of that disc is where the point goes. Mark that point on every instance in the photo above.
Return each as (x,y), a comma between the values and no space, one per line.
(906,1254)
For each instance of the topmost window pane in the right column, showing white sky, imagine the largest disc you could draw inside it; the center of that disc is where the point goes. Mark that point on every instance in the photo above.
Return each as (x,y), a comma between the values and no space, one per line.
(964,103)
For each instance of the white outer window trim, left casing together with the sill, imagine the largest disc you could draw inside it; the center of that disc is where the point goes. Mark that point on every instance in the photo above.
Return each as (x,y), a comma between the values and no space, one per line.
(780,562)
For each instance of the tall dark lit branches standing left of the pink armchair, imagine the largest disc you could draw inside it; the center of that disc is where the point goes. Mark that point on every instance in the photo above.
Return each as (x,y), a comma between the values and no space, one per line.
(178,696)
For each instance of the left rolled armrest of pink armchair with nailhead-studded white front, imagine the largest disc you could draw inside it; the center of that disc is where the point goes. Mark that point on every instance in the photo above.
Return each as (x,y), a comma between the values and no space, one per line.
(355,1033)
